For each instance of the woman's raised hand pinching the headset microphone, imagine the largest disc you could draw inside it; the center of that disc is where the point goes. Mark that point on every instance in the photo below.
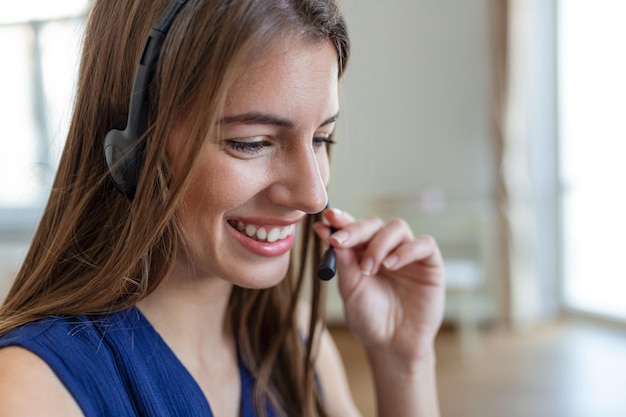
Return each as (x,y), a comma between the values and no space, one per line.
(391,283)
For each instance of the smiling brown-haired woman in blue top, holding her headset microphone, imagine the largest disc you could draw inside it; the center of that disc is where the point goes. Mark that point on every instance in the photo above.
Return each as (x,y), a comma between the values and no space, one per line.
(180,294)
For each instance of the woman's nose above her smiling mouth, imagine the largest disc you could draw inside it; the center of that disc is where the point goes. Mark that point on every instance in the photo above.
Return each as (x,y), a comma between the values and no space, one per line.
(301,180)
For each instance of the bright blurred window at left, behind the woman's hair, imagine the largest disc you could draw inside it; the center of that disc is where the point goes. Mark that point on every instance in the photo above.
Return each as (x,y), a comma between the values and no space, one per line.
(39,45)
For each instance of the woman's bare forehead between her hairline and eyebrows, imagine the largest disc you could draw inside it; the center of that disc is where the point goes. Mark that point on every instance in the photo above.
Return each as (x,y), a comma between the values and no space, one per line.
(293,77)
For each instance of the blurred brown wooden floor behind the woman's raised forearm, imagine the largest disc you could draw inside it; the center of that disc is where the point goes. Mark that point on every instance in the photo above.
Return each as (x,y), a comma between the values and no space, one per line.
(571,368)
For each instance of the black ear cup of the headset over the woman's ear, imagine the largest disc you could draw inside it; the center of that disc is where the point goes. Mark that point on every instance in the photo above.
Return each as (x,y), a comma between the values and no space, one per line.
(123,157)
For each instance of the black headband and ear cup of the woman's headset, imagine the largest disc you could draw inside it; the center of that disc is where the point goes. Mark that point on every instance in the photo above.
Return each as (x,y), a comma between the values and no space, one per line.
(123,147)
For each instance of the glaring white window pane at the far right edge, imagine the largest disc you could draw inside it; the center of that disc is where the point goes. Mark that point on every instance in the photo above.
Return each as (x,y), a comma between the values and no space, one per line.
(592,79)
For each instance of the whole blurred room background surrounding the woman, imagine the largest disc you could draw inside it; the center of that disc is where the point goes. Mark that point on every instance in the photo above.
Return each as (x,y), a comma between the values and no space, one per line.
(496,126)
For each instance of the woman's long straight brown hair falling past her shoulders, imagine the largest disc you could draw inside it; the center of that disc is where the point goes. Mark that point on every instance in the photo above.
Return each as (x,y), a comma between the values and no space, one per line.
(94,252)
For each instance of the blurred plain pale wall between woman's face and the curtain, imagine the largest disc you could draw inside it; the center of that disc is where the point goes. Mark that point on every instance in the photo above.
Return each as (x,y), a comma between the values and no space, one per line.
(415,112)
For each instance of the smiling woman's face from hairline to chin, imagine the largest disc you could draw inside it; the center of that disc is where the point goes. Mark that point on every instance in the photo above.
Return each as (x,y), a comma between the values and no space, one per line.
(266,171)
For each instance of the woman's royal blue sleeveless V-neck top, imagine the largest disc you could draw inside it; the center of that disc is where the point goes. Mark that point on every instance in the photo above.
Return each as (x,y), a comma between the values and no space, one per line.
(118,365)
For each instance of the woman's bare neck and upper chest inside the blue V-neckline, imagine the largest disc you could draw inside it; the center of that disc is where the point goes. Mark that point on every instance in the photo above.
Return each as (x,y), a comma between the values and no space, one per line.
(190,314)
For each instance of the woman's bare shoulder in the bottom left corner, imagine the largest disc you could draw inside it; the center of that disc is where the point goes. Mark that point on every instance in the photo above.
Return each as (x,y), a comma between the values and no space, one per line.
(29,387)
